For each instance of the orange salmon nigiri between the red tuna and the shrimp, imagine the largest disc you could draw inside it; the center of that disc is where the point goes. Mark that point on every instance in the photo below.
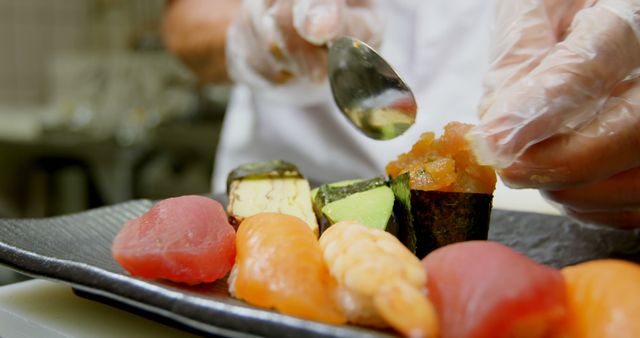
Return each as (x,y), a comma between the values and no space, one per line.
(279,265)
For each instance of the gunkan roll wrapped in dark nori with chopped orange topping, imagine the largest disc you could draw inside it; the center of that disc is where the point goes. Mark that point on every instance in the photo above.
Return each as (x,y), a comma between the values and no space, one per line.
(442,194)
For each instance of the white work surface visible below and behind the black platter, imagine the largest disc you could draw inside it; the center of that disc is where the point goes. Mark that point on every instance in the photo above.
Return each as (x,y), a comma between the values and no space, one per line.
(39,308)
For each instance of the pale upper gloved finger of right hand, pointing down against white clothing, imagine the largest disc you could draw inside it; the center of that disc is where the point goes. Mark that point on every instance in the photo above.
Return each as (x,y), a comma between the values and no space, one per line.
(524,33)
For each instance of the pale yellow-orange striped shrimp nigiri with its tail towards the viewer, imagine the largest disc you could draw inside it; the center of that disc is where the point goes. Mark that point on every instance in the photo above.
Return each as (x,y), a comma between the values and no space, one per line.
(380,282)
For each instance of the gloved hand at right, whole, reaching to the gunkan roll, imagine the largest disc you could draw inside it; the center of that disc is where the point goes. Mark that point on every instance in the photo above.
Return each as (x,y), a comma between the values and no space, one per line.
(562,105)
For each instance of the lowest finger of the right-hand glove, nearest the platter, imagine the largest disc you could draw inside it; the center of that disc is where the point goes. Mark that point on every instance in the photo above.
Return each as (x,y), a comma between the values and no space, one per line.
(620,192)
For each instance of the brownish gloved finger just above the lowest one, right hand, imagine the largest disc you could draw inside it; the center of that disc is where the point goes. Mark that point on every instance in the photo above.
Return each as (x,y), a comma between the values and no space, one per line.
(608,145)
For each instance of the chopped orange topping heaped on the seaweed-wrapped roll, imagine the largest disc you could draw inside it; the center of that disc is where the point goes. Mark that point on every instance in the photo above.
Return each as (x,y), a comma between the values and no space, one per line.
(444,164)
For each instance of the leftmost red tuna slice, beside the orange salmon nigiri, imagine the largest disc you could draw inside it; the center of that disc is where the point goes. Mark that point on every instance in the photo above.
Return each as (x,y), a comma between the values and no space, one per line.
(185,239)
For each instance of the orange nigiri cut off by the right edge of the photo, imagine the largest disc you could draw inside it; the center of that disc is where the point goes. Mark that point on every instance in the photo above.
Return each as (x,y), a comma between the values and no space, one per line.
(603,299)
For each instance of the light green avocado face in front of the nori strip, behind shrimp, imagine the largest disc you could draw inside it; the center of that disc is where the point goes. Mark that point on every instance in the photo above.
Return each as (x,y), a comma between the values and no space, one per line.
(372,208)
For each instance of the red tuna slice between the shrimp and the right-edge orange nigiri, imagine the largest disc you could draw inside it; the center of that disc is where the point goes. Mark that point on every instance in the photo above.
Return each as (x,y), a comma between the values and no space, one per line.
(485,289)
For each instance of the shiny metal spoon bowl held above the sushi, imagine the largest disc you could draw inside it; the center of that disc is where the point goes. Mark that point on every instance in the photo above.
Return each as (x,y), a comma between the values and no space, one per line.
(368,91)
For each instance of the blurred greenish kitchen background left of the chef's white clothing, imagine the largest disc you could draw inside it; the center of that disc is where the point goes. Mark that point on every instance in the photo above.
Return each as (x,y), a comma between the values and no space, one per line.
(93,110)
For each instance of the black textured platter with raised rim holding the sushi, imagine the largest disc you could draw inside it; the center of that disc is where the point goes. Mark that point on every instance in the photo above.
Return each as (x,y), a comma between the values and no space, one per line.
(75,250)
